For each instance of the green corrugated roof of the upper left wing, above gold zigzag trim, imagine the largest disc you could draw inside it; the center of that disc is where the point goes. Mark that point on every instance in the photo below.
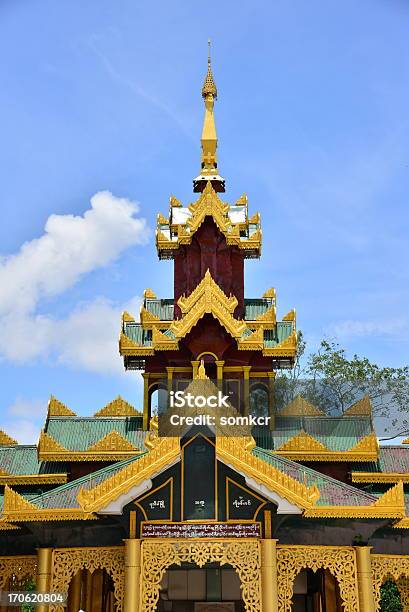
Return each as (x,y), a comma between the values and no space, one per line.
(79,433)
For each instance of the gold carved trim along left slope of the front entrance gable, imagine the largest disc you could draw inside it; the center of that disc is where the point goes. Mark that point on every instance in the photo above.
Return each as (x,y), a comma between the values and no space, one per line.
(162,455)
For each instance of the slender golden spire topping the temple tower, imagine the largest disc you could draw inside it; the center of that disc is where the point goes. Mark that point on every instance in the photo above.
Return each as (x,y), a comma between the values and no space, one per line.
(209,171)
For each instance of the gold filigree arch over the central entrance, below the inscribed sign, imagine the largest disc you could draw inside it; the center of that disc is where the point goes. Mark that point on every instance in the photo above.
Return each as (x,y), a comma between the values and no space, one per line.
(244,557)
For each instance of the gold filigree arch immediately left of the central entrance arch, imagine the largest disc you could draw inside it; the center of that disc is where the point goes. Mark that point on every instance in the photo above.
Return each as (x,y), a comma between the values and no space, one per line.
(67,562)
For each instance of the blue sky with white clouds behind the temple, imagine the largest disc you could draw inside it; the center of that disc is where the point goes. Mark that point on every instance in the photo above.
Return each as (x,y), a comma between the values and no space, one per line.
(104,96)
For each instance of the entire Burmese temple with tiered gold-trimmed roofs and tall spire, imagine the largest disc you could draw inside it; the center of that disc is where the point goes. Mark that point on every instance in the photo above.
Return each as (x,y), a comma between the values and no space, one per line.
(223,504)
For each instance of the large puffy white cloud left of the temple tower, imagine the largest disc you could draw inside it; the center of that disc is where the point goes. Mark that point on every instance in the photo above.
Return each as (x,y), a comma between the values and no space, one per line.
(70,247)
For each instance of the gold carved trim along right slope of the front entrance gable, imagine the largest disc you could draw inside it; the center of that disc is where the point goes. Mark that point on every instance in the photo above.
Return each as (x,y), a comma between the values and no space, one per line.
(237,453)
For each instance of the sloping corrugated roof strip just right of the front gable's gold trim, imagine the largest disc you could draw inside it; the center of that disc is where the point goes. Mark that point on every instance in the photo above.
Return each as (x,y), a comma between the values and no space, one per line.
(333,492)
